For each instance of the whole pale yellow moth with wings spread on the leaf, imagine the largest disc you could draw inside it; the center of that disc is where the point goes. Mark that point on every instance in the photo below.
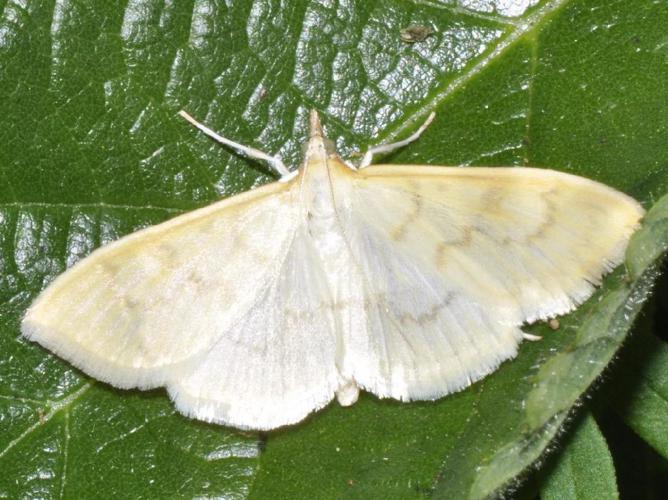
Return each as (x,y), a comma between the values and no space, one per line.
(408,281)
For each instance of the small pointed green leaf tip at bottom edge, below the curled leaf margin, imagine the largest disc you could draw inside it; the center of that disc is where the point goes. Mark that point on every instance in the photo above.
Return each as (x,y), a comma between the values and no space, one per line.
(584,469)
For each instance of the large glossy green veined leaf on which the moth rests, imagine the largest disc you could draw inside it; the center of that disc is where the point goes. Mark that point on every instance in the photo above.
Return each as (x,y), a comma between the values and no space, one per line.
(91,149)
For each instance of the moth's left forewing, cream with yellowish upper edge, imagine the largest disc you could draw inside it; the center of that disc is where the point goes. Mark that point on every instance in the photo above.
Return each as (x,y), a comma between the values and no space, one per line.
(134,309)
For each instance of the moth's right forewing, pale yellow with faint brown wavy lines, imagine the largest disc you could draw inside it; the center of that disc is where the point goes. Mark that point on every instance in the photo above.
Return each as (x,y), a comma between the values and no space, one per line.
(537,239)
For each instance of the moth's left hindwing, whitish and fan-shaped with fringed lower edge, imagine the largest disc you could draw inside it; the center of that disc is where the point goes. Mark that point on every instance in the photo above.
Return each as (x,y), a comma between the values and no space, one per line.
(277,363)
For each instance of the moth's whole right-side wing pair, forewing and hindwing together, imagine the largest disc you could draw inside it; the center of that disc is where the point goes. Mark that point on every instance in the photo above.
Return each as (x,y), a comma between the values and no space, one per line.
(454,260)
